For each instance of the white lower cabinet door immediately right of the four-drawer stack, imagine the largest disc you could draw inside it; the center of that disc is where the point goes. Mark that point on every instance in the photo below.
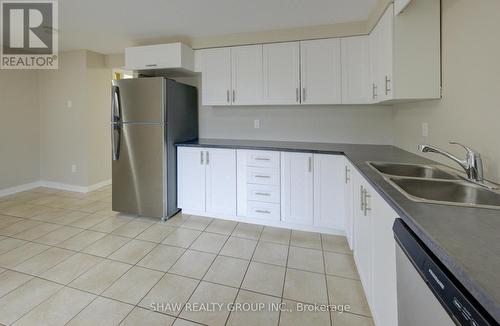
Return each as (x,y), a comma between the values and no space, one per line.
(297,188)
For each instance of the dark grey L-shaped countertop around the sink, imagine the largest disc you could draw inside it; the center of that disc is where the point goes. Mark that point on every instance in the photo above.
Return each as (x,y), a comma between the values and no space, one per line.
(466,240)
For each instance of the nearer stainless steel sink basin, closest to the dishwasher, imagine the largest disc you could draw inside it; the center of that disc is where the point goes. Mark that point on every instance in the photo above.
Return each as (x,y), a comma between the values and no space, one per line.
(460,193)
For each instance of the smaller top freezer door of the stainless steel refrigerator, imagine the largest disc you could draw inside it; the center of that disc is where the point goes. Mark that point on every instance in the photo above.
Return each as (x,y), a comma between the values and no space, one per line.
(139,100)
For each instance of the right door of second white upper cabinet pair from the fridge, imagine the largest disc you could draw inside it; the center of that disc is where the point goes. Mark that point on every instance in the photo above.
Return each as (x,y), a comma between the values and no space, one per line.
(320,71)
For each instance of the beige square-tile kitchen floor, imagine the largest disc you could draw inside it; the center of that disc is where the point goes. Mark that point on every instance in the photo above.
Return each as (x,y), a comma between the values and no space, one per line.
(67,258)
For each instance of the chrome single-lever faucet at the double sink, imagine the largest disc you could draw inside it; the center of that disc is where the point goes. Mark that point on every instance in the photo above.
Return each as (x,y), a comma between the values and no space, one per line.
(473,164)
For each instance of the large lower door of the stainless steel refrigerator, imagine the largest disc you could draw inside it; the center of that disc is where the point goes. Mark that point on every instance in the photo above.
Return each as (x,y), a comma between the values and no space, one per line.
(139,171)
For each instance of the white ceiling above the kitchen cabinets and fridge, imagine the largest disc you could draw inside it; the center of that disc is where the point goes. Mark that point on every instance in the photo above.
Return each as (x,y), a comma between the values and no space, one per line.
(108,26)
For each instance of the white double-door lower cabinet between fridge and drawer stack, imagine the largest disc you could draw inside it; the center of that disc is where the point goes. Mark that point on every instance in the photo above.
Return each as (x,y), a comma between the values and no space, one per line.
(207,180)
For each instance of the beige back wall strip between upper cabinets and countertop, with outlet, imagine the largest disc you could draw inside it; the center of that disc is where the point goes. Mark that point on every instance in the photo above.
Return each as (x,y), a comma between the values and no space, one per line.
(338,124)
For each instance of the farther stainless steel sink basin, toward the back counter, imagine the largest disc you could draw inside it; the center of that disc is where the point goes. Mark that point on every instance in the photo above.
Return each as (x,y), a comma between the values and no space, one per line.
(412,170)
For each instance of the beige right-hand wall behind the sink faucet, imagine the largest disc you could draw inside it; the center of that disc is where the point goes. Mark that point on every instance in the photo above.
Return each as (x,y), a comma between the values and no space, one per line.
(469,111)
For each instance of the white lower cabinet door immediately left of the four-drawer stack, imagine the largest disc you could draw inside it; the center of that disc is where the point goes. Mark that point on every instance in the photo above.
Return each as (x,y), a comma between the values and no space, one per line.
(221,181)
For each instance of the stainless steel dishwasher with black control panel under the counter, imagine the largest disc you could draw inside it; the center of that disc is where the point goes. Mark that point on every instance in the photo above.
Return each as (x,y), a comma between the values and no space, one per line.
(428,294)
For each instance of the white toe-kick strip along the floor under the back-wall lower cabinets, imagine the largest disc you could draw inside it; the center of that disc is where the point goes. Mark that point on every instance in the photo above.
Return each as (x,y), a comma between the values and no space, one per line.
(280,224)
